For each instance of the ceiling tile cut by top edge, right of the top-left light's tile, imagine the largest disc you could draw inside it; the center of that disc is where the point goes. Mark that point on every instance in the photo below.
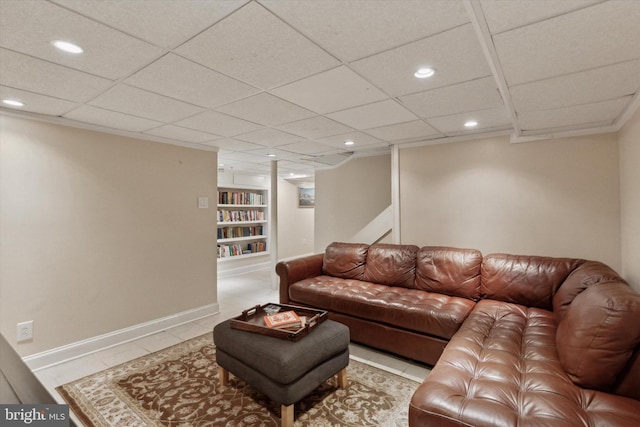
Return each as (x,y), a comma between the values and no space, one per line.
(166,24)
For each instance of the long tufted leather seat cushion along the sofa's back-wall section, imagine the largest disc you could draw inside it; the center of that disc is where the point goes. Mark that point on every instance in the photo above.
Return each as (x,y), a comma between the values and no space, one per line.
(413,309)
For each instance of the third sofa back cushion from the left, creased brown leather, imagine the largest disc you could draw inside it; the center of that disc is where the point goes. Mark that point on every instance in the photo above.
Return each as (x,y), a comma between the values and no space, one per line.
(449,271)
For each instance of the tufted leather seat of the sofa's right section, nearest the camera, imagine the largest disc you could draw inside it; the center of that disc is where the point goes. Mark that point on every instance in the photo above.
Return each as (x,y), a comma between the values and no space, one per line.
(502,369)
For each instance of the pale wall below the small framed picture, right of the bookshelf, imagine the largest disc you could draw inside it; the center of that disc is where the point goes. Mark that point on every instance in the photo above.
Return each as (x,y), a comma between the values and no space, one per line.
(295,225)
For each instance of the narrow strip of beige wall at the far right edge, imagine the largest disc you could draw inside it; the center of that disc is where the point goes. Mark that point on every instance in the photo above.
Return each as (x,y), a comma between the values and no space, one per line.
(630,199)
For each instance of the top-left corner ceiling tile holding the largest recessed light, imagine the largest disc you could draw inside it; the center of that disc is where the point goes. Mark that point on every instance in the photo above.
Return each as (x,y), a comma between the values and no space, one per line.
(107,52)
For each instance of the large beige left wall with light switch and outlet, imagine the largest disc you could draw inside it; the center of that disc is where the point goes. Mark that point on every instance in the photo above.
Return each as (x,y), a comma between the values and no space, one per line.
(100,232)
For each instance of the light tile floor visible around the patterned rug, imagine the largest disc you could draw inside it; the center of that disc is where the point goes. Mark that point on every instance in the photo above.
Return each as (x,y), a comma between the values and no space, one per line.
(235,294)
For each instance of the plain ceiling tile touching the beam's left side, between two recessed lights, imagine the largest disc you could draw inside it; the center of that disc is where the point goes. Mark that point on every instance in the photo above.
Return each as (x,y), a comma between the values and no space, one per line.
(470,96)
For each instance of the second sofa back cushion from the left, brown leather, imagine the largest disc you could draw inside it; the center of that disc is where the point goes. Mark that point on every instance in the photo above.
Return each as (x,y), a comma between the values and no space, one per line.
(393,265)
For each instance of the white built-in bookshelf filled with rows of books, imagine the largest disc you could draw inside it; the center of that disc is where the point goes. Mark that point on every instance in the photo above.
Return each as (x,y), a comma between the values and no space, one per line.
(243,229)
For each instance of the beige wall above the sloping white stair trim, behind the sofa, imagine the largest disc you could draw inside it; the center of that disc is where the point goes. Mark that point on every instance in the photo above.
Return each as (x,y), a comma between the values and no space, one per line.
(349,197)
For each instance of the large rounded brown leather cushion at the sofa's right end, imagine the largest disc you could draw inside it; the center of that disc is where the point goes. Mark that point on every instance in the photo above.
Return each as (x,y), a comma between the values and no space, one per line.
(598,334)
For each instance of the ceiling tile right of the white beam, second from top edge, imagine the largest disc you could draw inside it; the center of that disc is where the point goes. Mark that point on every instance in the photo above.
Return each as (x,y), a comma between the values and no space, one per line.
(602,34)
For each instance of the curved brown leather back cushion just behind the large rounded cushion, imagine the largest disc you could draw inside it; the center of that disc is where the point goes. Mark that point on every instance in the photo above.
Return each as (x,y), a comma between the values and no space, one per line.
(587,274)
